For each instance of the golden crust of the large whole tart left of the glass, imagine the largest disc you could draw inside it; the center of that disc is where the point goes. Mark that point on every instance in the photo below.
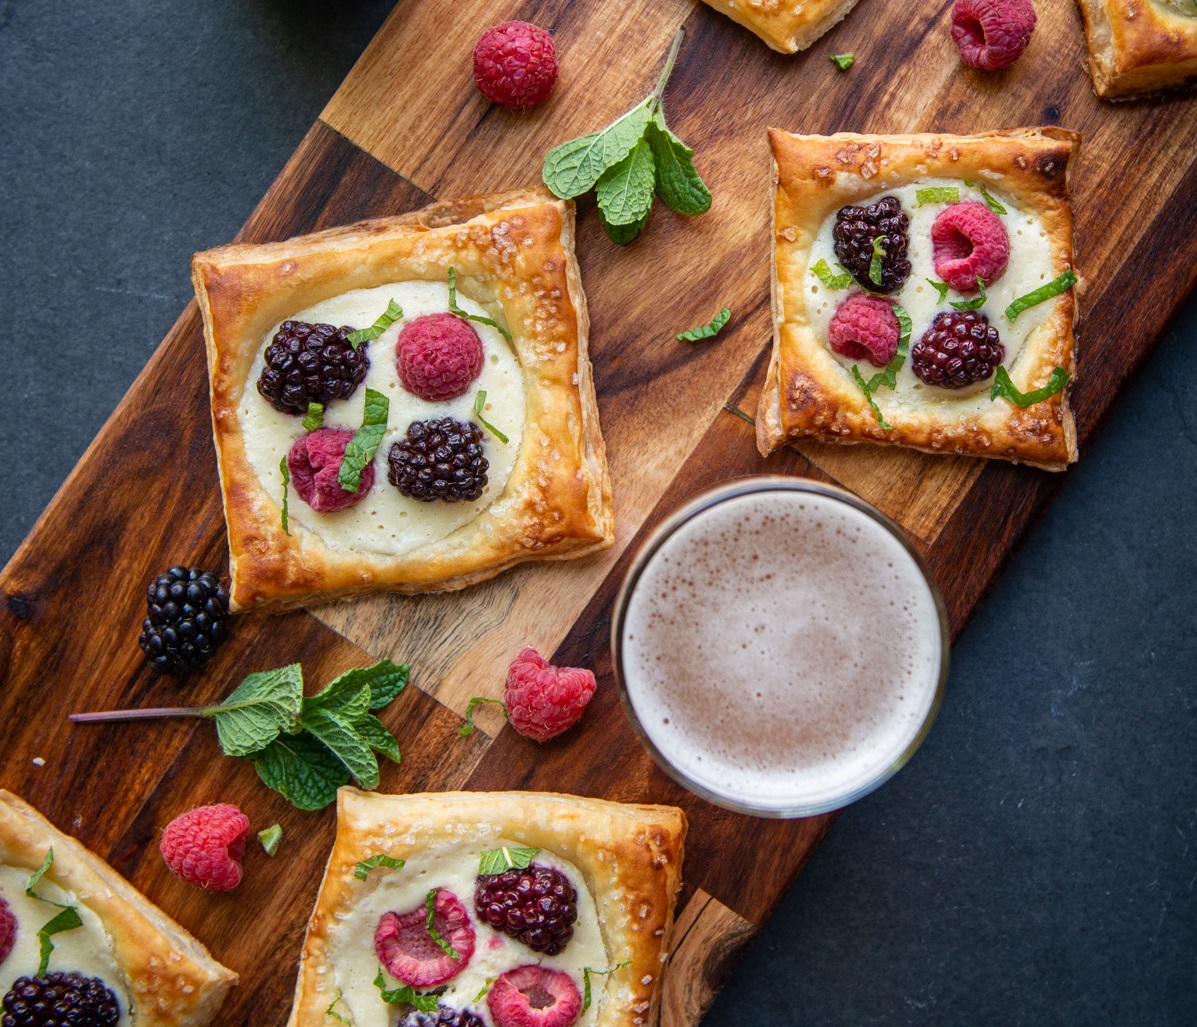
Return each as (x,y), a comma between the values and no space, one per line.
(514,254)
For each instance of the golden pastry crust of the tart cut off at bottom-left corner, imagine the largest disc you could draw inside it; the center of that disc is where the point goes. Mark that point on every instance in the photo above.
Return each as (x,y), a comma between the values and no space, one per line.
(172,980)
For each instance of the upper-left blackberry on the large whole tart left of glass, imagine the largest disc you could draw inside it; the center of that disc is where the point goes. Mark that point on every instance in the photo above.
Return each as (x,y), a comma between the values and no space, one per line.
(311,364)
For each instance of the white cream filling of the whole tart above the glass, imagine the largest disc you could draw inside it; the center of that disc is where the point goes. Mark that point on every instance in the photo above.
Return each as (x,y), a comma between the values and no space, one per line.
(1030,268)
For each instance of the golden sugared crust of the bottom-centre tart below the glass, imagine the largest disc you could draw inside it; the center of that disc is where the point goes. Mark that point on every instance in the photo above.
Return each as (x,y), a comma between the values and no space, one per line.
(629,855)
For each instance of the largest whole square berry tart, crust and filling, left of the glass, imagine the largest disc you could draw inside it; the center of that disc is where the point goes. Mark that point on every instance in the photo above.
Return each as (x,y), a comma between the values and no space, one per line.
(404,404)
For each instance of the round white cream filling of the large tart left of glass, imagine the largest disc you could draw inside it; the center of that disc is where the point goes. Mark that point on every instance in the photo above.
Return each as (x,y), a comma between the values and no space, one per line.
(386,521)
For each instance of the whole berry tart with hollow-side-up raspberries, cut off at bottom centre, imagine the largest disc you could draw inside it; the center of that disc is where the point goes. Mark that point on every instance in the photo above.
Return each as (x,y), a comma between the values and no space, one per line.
(483,904)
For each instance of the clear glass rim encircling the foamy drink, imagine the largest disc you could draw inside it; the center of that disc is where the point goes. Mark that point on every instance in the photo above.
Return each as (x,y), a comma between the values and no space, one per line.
(684,515)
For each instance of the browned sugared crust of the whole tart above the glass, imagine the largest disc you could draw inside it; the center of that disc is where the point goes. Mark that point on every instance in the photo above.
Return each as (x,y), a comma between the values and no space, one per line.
(811,396)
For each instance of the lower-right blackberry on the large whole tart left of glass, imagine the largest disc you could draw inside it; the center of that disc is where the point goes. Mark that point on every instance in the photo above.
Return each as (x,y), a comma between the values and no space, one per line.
(440,459)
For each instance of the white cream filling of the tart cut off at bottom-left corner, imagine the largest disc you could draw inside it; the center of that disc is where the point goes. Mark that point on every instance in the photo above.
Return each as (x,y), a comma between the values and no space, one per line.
(87,951)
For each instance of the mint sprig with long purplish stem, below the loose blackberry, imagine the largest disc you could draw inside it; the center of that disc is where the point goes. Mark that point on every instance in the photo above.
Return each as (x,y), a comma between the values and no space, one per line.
(302,748)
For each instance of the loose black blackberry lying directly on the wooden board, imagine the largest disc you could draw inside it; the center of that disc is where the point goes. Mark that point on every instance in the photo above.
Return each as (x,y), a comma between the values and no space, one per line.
(186,619)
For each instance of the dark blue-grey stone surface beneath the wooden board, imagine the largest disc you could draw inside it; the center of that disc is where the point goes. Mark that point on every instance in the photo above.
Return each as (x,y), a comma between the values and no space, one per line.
(1035,865)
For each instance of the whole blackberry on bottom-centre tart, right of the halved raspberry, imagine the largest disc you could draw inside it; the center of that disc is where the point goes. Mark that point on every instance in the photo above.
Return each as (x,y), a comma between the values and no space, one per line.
(537,906)
